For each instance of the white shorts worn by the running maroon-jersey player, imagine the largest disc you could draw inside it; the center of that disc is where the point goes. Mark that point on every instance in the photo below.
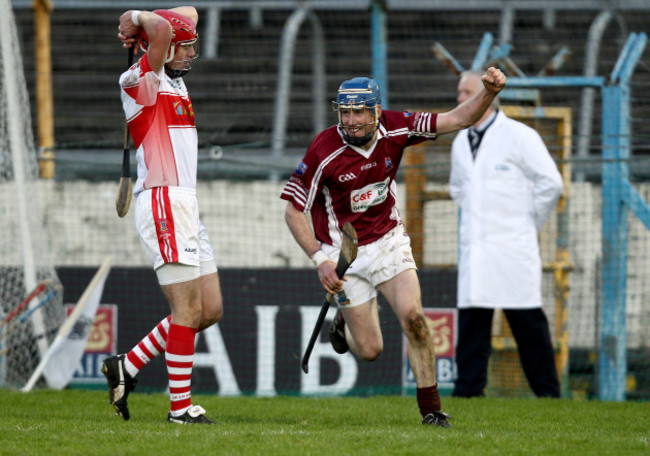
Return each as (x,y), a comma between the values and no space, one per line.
(375,264)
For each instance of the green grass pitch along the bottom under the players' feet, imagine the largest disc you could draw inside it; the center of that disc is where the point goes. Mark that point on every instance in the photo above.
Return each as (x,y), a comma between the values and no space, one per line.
(76,422)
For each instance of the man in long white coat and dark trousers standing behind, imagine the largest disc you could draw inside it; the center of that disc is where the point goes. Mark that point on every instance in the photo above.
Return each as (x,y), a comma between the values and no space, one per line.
(506,185)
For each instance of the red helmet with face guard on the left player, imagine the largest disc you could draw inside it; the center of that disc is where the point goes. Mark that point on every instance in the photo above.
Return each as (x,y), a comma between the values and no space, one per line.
(183,34)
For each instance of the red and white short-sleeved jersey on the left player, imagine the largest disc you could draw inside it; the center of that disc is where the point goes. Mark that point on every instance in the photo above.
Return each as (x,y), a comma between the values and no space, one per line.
(161,121)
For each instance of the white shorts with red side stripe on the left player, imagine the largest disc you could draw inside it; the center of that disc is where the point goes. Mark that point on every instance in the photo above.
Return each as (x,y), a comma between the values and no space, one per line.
(167,221)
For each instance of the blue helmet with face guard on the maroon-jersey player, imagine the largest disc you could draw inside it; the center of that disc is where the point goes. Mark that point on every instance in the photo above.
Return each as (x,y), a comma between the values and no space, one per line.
(358,94)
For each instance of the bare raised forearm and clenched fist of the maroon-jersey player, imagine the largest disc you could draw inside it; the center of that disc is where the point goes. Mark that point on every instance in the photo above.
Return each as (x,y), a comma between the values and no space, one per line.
(469,112)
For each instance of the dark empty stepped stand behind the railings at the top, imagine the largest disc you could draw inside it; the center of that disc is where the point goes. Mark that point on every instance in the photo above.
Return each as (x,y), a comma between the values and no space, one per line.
(234,93)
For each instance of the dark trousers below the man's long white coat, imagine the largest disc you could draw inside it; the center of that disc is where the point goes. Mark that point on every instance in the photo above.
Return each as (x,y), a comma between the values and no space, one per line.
(530,330)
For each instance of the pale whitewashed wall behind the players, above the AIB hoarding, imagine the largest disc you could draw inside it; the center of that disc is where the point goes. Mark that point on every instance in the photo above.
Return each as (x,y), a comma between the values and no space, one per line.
(245,221)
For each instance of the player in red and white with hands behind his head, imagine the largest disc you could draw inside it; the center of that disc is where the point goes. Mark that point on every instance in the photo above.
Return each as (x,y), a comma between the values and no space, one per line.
(159,112)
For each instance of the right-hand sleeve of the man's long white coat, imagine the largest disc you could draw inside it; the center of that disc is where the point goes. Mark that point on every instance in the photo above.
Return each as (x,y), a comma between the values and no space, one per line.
(542,172)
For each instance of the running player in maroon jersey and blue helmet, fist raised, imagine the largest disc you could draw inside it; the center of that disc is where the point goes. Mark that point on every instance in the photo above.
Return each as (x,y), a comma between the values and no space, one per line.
(348,175)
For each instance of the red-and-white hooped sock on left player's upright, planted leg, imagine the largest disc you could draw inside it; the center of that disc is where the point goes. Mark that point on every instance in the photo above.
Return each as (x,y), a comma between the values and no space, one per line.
(179,357)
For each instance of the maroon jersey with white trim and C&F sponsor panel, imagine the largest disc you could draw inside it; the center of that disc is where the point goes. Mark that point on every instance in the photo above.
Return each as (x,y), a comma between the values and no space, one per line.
(337,183)
